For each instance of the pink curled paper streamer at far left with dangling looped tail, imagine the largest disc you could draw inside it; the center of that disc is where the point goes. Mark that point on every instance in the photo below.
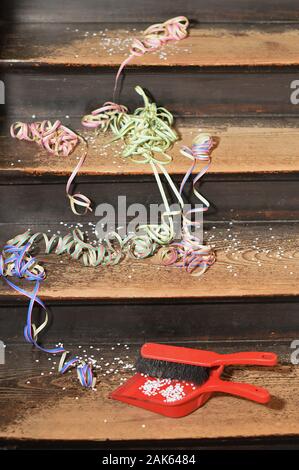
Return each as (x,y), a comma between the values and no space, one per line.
(58,140)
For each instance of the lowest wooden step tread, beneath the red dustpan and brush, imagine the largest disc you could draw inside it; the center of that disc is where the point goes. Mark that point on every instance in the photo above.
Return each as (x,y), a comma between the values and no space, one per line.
(38,404)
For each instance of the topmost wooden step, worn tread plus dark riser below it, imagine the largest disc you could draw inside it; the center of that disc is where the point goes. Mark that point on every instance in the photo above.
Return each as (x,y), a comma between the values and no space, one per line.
(66,75)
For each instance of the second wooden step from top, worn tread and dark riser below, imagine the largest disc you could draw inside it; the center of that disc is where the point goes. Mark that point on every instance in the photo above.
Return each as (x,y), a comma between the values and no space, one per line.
(255,157)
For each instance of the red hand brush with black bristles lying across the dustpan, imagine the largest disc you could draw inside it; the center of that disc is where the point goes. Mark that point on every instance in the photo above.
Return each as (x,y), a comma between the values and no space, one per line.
(192,365)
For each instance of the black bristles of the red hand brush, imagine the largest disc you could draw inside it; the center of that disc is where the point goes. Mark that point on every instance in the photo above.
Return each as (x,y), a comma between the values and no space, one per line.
(172,370)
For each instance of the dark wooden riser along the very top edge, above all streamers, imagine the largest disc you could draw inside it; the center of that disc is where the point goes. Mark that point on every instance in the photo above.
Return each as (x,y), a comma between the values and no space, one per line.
(149,10)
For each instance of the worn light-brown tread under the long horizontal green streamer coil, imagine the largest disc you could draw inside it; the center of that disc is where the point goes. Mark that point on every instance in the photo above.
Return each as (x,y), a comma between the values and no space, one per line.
(252,261)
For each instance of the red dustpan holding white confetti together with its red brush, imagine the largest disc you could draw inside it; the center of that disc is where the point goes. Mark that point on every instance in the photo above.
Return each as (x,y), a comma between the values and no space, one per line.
(176,398)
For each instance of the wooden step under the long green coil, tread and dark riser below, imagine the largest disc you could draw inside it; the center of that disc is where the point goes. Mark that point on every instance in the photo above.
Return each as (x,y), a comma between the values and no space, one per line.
(254,280)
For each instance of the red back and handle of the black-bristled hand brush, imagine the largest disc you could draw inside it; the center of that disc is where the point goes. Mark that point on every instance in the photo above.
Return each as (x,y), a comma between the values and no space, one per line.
(198,357)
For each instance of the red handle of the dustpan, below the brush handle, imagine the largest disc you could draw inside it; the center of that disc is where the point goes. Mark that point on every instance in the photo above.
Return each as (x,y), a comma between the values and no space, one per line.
(250,392)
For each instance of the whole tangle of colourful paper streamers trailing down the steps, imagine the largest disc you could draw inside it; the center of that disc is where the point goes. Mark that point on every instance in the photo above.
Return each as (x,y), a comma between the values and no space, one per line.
(146,134)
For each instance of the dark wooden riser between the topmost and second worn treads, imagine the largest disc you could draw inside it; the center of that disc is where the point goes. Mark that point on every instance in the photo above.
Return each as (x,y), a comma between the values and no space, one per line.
(59,93)
